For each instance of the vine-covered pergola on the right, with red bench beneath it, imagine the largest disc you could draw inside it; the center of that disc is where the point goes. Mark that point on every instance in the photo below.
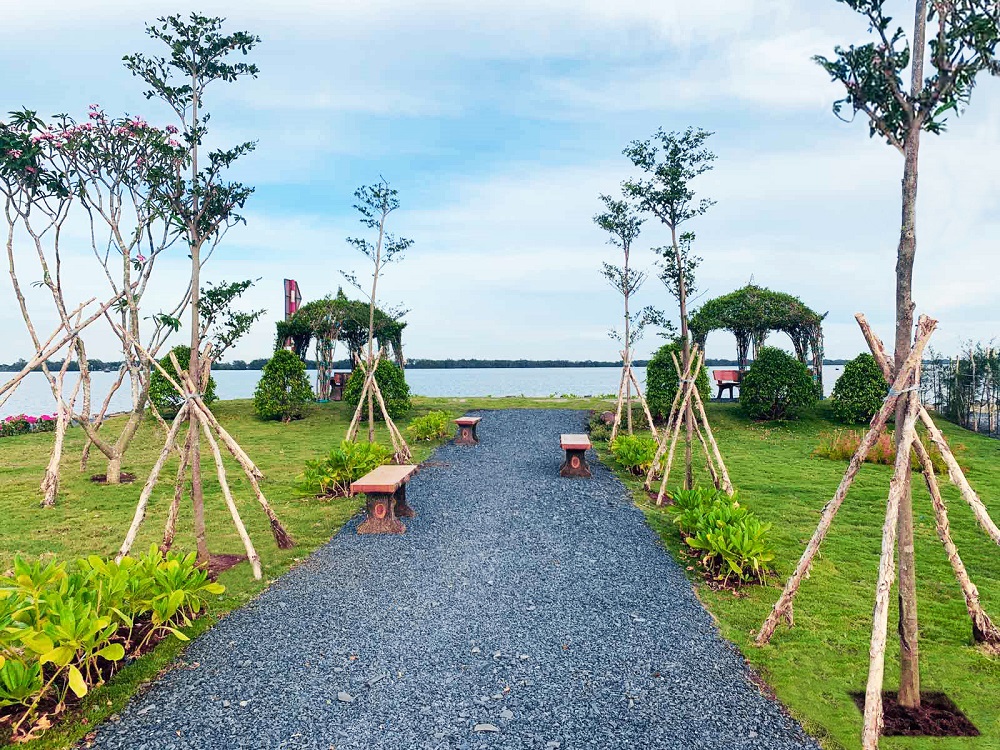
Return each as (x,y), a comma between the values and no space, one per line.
(751,313)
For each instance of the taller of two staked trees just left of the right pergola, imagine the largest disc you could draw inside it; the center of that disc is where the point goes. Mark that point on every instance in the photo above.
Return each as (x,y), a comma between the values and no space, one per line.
(670,163)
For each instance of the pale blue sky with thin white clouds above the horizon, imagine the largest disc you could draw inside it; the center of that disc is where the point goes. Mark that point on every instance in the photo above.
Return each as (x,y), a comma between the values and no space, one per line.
(500,122)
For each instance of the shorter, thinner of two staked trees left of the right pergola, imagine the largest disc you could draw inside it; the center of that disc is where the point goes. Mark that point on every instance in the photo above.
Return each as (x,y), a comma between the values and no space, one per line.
(623,225)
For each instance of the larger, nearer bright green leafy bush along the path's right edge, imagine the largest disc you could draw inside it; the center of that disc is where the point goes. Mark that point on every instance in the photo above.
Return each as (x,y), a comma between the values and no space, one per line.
(730,540)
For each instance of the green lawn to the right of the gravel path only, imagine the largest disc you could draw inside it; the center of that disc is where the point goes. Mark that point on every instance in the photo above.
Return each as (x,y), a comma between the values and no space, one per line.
(816,664)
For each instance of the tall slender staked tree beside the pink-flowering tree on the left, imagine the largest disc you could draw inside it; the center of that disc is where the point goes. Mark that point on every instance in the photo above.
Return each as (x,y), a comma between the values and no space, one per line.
(202,204)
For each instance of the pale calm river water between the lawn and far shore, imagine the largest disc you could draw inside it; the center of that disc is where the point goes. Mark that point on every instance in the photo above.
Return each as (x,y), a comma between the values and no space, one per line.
(34,398)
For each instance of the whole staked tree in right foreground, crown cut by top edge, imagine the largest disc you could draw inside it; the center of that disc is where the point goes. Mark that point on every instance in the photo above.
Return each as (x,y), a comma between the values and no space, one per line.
(963,43)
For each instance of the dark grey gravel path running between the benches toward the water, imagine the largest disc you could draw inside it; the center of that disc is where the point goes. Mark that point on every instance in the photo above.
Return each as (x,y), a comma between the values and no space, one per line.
(539,608)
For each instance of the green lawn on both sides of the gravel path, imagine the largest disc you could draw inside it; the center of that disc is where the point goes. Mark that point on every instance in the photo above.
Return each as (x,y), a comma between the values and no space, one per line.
(812,667)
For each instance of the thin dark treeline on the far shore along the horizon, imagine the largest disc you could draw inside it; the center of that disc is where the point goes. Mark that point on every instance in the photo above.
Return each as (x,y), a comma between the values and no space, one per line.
(97,365)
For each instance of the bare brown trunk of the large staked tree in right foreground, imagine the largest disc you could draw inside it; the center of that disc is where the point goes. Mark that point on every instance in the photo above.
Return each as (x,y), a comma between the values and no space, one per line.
(909,678)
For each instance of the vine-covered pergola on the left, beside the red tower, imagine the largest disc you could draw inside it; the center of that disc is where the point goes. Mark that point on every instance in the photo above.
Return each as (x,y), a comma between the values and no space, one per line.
(338,319)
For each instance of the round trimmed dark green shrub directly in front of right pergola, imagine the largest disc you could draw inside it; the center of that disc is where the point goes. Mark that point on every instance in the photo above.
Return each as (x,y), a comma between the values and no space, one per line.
(777,386)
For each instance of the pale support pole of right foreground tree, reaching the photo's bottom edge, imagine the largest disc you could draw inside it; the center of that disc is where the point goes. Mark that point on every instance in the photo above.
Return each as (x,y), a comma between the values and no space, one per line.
(880,617)
